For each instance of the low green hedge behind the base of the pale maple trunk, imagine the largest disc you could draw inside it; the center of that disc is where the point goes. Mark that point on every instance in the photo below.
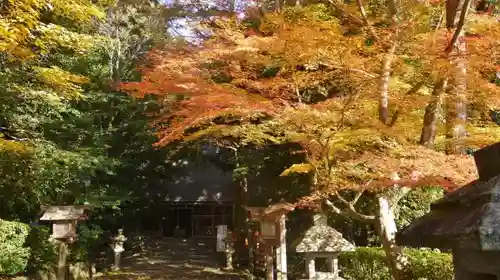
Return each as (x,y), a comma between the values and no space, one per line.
(368,263)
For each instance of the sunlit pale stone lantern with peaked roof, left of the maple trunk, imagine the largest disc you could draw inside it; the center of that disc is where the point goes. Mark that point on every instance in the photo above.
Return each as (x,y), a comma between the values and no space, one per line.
(322,241)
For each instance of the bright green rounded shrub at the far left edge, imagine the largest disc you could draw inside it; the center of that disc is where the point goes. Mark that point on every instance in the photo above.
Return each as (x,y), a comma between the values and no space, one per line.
(13,253)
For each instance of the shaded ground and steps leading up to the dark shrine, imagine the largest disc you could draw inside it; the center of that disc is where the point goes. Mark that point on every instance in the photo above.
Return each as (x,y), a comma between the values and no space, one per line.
(172,259)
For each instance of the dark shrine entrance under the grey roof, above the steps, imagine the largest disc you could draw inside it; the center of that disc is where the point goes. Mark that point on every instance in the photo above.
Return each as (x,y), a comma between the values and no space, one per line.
(195,219)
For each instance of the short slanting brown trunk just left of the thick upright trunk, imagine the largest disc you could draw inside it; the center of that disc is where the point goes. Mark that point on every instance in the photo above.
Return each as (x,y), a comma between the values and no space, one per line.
(431,116)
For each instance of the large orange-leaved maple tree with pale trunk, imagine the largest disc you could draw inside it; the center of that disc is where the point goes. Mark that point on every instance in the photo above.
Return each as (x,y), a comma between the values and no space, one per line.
(352,88)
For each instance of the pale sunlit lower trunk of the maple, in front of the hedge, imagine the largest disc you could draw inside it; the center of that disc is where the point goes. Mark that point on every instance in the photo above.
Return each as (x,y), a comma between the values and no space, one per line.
(386,228)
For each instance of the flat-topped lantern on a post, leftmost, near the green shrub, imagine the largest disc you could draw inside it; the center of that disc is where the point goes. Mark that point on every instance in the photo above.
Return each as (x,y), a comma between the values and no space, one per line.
(64,219)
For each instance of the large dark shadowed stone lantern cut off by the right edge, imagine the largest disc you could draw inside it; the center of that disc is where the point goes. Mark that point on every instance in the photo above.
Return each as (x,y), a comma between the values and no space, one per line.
(466,222)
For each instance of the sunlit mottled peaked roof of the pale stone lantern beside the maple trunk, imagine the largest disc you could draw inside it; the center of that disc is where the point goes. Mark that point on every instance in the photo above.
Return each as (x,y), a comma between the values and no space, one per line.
(321,238)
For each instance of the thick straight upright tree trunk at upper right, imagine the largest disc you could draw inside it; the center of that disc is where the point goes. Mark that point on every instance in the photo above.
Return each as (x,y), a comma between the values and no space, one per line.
(456,117)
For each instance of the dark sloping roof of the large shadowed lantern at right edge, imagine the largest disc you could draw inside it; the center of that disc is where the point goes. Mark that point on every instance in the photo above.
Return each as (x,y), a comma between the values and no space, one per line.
(468,218)
